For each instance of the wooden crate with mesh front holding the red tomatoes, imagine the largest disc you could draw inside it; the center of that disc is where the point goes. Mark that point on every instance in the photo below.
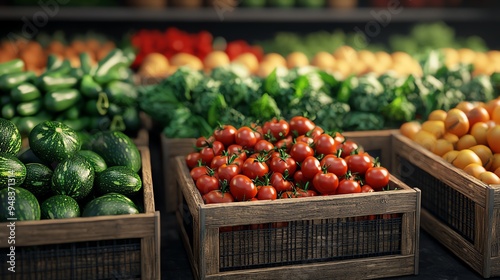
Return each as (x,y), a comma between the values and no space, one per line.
(309,238)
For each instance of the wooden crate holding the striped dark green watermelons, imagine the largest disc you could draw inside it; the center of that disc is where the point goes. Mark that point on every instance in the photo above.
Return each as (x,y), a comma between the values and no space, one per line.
(104,247)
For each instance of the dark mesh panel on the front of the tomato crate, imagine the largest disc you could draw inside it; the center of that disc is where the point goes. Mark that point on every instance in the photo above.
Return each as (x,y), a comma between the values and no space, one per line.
(301,242)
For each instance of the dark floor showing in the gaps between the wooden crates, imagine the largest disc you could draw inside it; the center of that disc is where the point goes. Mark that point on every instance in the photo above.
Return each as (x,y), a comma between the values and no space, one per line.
(435,261)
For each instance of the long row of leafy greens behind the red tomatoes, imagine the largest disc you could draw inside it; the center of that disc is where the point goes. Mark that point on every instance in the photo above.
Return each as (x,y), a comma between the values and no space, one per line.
(191,104)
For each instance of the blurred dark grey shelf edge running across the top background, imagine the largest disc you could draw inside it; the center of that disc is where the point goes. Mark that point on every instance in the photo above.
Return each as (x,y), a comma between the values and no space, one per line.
(238,14)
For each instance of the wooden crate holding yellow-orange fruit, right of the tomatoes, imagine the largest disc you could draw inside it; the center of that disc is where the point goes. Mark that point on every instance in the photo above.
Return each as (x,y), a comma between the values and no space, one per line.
(458,210)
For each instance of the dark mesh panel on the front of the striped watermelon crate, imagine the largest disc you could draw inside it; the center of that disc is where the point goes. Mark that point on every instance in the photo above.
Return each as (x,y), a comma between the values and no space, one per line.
(110,259)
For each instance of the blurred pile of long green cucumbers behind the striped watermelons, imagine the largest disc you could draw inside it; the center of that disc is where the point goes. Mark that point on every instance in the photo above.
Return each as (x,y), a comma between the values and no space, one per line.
(86,98)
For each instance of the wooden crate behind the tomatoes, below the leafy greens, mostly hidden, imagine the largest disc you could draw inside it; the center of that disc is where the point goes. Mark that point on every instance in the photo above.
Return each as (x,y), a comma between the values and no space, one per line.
(377,143)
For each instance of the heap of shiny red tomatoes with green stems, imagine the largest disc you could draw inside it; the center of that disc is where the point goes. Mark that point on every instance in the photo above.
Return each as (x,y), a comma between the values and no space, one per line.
(281,159)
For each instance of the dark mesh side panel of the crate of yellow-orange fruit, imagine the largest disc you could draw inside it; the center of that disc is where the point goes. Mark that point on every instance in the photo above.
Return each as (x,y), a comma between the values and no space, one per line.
(445,203)
